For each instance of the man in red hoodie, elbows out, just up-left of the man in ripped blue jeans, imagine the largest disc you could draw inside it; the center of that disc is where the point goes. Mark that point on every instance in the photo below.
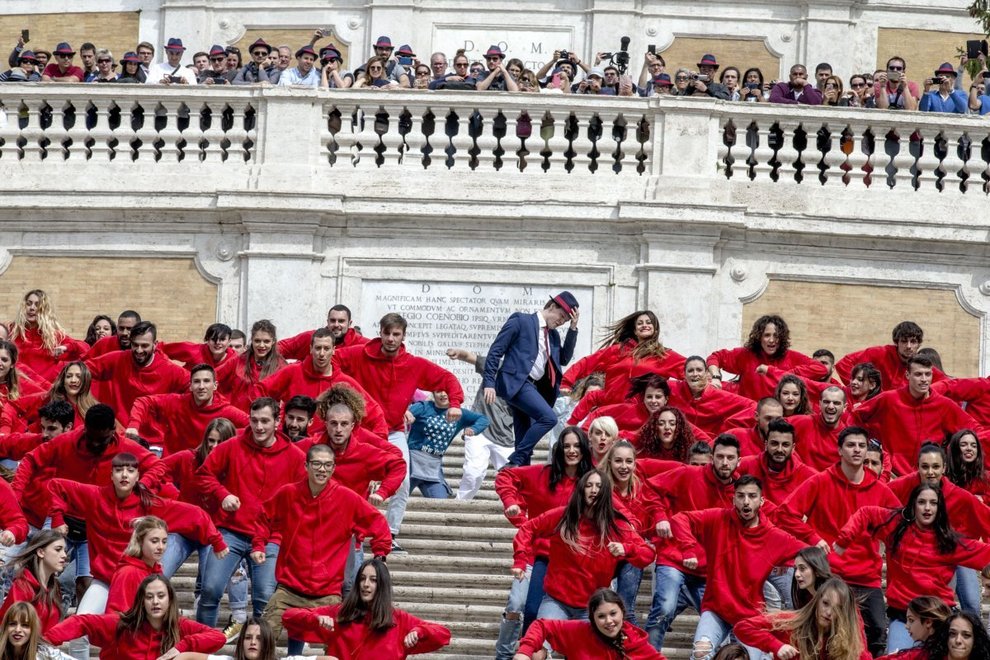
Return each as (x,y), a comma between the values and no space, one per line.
(178,421)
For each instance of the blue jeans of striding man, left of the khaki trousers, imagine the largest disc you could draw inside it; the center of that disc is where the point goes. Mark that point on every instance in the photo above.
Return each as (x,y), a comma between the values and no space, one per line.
(218,572)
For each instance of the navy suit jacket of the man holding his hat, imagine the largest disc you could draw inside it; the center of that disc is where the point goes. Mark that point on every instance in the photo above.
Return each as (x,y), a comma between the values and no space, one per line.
(517,344)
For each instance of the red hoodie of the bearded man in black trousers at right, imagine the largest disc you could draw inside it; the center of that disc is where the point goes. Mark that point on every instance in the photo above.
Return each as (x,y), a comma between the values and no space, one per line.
(829,499)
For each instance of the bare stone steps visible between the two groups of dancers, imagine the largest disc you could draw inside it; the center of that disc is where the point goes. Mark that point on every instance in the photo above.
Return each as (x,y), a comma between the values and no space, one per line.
(456,570)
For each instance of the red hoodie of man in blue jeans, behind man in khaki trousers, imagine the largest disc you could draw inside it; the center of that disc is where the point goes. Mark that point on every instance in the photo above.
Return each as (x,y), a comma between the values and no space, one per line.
(253,473)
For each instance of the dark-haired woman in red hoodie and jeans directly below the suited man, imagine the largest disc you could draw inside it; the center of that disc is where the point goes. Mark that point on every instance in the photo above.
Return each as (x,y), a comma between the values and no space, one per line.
(527,492)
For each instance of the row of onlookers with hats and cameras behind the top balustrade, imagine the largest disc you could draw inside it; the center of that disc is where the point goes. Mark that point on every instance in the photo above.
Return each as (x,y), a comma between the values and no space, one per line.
(389,67)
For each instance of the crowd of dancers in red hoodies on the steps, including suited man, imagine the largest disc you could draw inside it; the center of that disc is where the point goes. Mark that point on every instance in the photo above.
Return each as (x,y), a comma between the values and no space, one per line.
(766,489)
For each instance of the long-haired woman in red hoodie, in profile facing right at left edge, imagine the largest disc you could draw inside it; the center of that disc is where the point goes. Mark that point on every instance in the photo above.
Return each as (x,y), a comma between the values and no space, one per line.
(36,571)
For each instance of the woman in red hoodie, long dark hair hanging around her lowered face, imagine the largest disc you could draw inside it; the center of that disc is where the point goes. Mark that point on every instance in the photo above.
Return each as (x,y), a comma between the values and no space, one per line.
(588,539)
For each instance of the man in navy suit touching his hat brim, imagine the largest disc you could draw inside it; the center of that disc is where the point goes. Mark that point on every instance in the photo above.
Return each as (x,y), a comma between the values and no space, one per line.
(528,378)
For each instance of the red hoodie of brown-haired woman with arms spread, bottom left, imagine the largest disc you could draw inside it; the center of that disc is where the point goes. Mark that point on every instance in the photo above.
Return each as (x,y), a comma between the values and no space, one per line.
(145,644)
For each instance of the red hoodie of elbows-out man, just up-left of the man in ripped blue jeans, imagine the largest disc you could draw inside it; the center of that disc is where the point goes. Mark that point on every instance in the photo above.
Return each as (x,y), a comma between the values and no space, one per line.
(174,422)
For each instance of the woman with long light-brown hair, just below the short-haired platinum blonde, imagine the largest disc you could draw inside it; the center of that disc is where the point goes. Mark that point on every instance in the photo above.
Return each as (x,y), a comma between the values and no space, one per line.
(638,500)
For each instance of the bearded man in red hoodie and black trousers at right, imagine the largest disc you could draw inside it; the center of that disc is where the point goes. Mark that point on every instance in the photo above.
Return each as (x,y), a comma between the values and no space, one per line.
(816,512)
